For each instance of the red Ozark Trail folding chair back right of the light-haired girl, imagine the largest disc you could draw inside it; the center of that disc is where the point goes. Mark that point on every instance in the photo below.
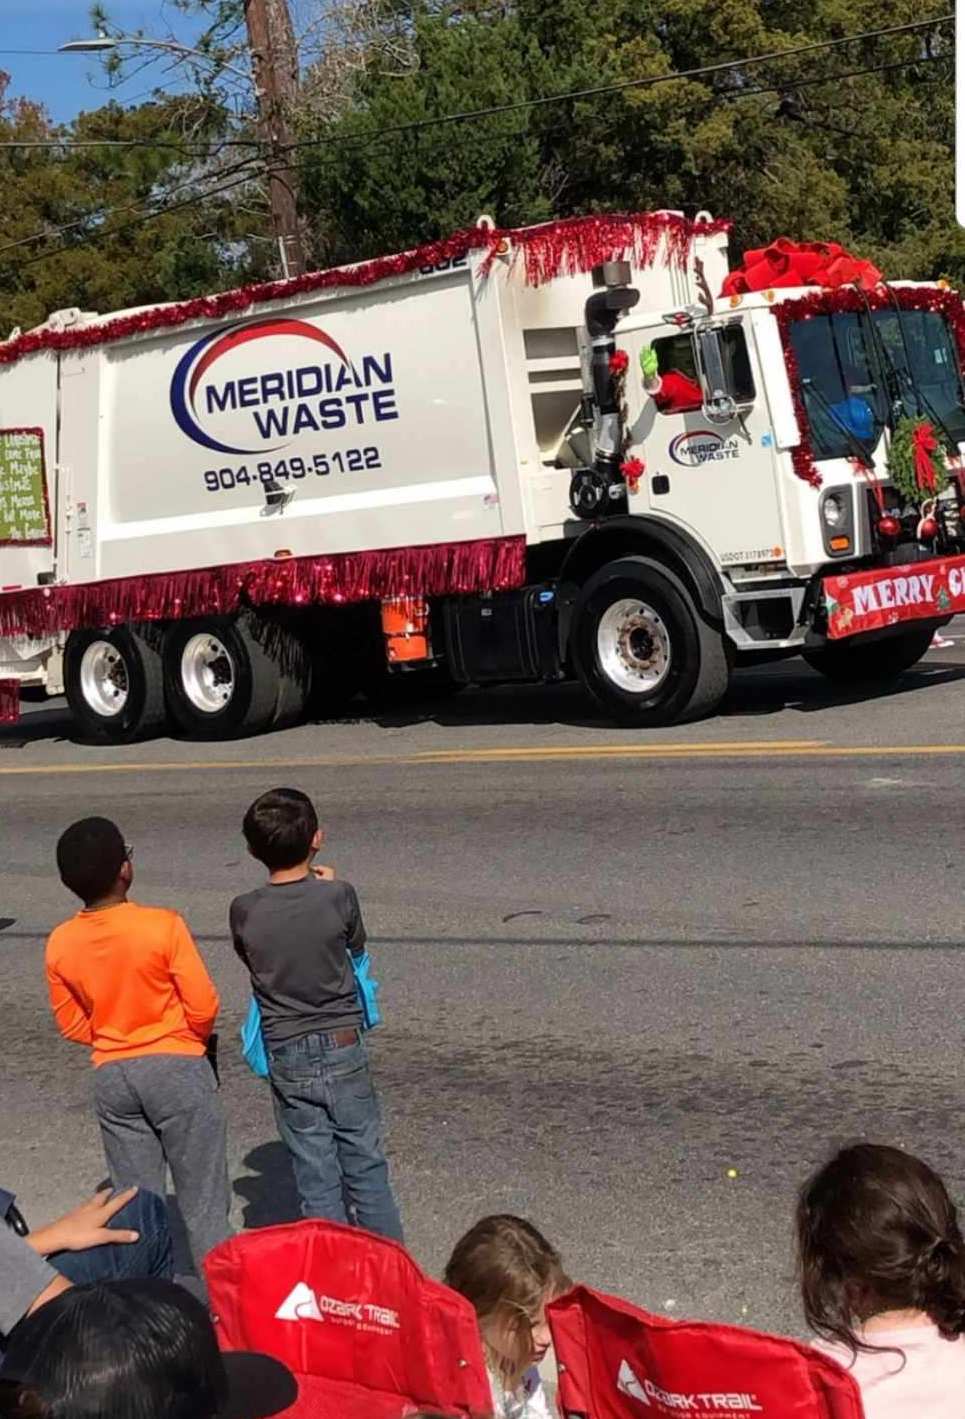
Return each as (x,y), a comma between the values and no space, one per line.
(621,1363)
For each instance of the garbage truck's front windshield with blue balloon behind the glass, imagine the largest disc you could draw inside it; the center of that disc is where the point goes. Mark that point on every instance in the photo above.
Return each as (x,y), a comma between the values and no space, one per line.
(856,380)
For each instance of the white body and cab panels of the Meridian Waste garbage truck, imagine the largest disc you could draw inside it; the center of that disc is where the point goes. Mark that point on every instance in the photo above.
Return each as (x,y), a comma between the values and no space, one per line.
(434,408)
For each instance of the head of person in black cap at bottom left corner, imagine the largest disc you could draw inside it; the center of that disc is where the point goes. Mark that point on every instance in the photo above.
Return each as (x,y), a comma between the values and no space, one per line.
(134,1350)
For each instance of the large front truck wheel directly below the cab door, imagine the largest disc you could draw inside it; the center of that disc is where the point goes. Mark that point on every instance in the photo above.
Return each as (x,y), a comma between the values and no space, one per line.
(642,649)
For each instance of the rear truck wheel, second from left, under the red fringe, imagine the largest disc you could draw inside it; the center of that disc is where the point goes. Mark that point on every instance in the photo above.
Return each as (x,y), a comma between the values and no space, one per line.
(222,675)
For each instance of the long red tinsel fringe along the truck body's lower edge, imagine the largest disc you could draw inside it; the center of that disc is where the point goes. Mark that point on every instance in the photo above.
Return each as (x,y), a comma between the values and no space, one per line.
(448,570)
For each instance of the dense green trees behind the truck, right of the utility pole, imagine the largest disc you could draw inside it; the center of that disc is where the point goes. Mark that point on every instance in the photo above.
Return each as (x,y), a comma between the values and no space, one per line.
(865,161)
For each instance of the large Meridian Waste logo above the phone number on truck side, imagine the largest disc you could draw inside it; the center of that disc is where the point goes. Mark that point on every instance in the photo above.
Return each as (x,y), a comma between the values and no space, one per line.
(252,388)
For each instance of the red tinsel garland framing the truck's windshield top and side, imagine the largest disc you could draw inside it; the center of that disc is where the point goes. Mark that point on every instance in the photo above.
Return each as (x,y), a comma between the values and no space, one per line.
(940,300)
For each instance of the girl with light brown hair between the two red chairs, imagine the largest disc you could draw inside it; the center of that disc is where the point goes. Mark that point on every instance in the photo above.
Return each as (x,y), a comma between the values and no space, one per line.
(510,1274)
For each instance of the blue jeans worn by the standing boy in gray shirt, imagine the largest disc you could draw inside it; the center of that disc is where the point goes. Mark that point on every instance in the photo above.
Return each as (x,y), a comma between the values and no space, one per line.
(329,1117)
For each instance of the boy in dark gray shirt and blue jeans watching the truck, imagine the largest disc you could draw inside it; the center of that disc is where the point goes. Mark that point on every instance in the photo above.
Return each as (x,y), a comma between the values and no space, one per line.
(296,936)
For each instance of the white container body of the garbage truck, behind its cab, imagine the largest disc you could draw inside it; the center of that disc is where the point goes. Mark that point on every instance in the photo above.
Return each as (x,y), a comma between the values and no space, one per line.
(445,377)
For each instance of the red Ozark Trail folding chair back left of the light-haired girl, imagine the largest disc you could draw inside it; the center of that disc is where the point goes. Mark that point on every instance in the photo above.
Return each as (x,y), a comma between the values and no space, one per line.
(367,1335)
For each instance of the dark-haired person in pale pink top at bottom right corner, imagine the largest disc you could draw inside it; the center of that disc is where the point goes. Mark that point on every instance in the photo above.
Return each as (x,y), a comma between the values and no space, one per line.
(882,1266)
